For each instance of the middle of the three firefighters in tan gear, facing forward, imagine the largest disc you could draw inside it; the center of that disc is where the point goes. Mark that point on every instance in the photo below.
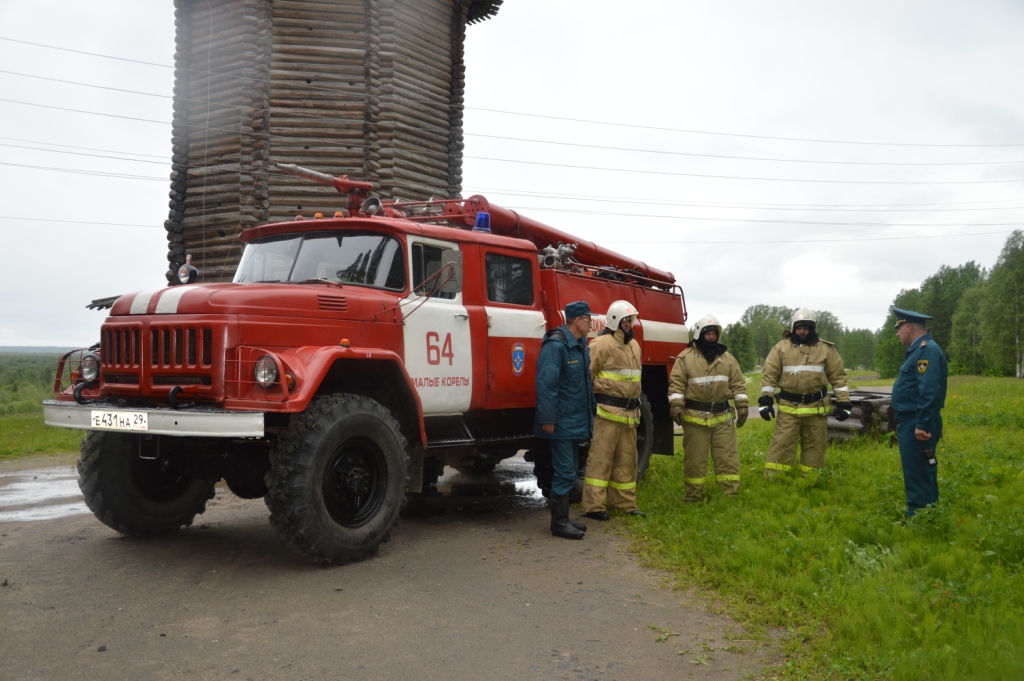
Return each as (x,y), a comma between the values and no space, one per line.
(704,379)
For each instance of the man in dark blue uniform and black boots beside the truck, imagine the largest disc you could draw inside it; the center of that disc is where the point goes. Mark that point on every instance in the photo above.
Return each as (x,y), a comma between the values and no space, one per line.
(566,409)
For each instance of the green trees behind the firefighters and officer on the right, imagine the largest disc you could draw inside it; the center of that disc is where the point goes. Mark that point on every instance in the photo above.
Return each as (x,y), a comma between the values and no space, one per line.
(979,322)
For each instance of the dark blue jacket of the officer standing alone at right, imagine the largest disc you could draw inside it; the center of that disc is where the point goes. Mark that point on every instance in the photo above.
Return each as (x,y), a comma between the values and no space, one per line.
(920,391)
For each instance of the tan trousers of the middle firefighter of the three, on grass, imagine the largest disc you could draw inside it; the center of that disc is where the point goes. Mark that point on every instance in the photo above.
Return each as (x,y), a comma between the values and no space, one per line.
(720,440)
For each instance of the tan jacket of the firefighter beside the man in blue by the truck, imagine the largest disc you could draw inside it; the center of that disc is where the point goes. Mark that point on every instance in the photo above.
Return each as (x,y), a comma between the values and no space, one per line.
(616,368)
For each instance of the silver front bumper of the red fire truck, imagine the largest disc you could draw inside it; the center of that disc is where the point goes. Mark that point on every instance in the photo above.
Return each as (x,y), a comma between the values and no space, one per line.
(193,421)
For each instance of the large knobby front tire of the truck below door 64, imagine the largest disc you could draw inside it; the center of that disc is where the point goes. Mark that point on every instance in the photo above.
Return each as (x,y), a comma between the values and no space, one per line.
(337,481)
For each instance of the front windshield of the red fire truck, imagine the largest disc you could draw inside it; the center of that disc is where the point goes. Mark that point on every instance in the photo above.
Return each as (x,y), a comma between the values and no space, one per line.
(364,260)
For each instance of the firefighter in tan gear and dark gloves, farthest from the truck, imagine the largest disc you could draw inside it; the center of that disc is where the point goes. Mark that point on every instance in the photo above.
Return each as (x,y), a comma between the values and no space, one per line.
(797,375)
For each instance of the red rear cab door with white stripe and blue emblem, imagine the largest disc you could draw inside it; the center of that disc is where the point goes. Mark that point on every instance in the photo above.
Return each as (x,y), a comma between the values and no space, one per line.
(516,327)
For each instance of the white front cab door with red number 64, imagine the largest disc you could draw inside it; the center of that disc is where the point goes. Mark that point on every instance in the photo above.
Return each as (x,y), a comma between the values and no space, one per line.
(439,350)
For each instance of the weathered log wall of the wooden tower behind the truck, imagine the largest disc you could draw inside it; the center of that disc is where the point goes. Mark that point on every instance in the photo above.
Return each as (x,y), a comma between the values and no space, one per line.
(369,89)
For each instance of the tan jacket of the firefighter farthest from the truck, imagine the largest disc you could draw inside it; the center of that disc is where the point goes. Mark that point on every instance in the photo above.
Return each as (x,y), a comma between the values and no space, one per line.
(804,369)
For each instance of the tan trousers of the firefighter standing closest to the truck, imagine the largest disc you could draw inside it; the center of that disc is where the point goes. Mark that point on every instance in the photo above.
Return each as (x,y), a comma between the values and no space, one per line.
(612,469)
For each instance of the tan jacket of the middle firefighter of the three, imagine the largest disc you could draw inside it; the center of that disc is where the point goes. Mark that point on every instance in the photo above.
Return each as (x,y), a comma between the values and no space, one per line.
(694,379)
